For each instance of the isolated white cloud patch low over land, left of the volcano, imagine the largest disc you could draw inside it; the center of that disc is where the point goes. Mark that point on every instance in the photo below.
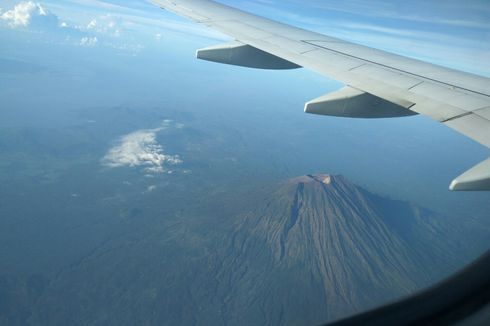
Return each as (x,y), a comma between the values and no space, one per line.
(140,148)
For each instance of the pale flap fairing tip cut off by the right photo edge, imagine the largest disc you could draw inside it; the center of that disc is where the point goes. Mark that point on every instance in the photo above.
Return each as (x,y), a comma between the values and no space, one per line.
(475,179)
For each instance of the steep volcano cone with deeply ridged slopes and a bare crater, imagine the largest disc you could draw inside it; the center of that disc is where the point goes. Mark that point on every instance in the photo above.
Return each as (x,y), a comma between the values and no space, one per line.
(320,248)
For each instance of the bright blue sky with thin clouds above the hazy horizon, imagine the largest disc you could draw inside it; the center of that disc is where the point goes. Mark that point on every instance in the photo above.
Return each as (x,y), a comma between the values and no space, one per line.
(444,32)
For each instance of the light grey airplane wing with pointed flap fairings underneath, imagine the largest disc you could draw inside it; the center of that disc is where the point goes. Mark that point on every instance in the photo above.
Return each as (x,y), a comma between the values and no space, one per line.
(378,84)
